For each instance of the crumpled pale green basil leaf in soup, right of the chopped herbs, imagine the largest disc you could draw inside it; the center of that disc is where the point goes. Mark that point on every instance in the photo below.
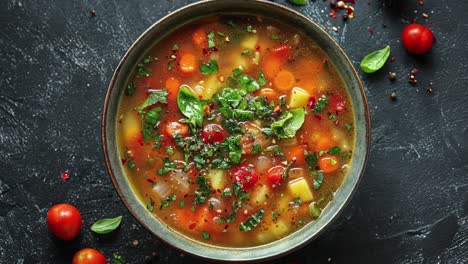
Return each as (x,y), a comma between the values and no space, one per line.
(289,123)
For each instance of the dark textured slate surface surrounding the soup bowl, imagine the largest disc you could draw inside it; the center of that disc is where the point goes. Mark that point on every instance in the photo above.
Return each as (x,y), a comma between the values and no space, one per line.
(56,61)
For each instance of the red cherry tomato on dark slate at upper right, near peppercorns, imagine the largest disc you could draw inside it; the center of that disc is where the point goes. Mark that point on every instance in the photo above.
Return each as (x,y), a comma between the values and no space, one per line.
(417,39)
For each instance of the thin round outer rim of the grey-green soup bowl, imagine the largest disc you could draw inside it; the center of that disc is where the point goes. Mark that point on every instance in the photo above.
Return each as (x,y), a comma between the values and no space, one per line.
(112,87)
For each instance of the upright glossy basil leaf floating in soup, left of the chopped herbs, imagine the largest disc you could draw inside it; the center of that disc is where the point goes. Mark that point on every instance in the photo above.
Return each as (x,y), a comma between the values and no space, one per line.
(190,106)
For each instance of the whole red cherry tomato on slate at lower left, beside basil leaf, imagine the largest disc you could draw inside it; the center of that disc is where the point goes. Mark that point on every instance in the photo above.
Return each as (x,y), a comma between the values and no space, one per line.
(64,221)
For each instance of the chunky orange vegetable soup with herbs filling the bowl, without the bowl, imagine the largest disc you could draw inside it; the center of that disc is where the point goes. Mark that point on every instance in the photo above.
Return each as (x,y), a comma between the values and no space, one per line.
(244,176)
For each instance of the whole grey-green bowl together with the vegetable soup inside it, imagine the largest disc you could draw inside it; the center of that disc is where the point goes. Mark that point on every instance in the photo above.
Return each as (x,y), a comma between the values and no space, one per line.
(235,130)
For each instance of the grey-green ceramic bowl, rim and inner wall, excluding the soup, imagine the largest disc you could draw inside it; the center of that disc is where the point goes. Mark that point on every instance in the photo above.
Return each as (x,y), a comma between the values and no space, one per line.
(191,13)
